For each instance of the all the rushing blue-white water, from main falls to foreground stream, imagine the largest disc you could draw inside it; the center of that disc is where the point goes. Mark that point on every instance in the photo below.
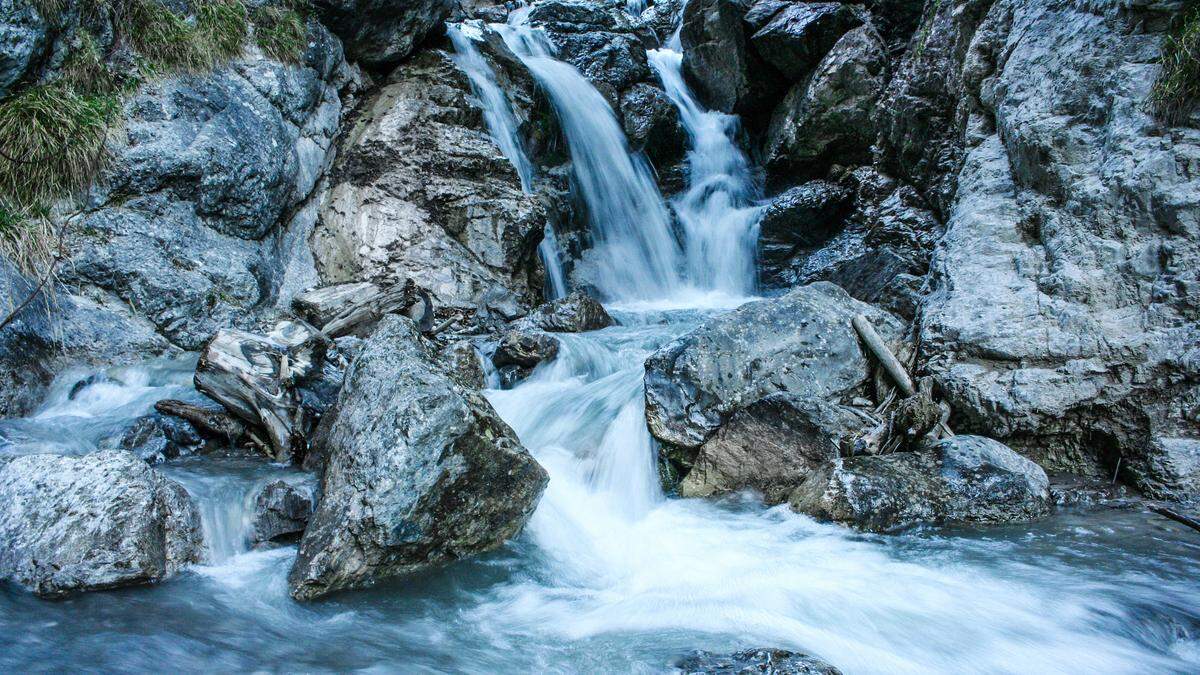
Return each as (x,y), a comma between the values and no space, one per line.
(611,576)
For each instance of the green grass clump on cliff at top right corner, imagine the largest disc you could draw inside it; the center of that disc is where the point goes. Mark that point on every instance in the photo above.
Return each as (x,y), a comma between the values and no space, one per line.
(1178,88)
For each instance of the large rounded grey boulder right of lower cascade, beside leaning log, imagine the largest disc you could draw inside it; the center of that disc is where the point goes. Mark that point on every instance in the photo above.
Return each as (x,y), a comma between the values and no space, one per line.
(802,343)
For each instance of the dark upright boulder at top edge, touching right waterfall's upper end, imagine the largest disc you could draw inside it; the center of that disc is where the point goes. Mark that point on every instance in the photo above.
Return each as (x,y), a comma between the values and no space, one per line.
(719,64)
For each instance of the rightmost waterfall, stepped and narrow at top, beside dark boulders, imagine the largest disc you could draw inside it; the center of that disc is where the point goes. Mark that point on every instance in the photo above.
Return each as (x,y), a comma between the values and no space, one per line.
(718,212)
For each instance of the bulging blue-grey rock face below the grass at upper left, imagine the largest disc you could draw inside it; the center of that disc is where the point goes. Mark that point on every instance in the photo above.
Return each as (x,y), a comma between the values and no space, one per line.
(185,225)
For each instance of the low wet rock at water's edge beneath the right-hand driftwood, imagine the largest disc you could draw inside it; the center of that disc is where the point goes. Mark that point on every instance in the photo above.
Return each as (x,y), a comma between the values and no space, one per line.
(963,480)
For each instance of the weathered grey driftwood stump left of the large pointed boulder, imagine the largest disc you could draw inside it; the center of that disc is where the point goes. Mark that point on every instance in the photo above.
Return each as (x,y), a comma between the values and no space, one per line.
(254,378)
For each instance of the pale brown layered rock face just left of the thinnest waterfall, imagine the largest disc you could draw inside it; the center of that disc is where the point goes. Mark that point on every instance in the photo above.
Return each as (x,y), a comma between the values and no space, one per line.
(422,192)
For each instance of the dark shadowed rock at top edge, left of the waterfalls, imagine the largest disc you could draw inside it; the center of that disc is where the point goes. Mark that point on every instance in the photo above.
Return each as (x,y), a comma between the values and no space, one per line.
(381,33)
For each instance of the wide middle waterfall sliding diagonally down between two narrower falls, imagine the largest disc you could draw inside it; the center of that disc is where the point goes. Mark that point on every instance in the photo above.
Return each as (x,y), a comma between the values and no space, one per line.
(635,256)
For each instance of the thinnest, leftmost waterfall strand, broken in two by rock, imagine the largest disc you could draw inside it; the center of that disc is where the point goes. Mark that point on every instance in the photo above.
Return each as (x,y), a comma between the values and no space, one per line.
(503,127)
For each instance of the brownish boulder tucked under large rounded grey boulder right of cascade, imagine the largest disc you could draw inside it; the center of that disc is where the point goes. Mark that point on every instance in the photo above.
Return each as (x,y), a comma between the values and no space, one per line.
(772,446)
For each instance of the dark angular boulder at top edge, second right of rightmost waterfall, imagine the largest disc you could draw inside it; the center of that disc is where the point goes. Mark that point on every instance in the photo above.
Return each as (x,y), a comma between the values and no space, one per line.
(797,35)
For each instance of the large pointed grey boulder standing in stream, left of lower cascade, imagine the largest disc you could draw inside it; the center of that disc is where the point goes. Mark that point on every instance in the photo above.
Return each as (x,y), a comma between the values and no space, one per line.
(419,473)
